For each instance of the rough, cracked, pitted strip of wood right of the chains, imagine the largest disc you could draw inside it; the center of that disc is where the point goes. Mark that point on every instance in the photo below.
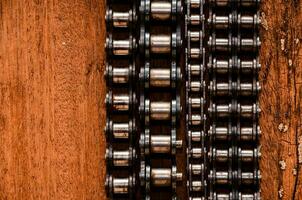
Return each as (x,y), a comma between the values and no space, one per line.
(280,101)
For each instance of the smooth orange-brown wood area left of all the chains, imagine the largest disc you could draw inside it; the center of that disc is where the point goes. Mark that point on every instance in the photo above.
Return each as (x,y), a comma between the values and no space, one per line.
(51,99)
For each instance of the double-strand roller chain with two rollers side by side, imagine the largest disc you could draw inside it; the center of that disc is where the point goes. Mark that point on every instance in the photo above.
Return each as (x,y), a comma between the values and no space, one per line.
(232,89)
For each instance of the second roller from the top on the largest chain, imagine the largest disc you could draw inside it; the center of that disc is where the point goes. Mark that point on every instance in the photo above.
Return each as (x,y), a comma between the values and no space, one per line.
(160,43)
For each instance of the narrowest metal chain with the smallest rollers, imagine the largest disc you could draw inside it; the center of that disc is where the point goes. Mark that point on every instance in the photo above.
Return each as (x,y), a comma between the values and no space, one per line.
(195,99)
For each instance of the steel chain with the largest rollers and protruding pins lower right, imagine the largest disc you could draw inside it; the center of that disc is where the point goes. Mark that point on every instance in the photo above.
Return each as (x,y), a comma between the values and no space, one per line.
(160,105)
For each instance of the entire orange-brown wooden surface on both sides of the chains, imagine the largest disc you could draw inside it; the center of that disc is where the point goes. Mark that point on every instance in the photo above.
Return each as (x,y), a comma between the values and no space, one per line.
(52,92)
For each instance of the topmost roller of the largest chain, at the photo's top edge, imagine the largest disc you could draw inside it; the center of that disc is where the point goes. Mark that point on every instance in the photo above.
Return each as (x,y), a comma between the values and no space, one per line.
(161,10)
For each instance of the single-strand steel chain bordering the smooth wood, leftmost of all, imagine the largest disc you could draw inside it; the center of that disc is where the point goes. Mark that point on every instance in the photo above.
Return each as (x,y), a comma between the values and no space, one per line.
(120,75)
